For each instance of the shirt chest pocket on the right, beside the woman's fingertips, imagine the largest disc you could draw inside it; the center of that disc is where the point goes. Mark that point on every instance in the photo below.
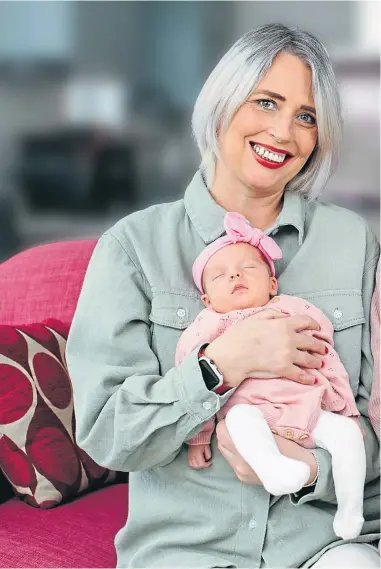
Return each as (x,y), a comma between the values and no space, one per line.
(345,310)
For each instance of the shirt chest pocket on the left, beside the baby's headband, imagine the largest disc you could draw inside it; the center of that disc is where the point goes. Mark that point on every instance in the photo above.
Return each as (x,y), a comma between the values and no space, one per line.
(171,313)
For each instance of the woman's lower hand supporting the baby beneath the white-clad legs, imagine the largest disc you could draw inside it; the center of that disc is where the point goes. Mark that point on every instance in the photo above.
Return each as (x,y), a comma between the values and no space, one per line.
(244,472)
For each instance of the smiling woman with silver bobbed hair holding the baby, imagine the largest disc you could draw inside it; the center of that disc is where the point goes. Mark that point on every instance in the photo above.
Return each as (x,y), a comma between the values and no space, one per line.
(267,123)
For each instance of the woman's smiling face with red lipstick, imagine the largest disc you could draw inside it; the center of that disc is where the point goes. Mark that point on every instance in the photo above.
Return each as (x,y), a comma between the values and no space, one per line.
(274,132)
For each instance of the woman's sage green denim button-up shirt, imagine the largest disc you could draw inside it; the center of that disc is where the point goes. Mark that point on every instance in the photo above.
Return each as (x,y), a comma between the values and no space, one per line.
(134,410)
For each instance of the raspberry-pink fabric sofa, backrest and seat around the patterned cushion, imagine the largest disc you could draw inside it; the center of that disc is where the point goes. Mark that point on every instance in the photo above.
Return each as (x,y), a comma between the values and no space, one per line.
(40,283)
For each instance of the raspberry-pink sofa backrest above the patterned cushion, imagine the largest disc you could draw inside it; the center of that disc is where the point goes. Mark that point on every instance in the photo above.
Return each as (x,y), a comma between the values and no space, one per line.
(43,282)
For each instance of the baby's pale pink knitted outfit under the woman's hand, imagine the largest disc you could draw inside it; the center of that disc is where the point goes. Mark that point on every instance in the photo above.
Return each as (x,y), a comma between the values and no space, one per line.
(289,408)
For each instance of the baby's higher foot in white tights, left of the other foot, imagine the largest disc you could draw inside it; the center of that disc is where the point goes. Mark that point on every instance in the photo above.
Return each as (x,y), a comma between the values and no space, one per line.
(284,475)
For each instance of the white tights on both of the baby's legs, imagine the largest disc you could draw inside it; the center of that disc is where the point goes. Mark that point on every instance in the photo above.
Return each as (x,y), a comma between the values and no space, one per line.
(339,435)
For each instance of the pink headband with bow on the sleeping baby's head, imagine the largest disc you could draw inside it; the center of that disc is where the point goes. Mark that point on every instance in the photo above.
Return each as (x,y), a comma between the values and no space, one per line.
(238,230)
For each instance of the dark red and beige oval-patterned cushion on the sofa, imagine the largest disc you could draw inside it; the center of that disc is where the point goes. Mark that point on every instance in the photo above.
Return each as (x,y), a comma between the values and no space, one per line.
(38,453)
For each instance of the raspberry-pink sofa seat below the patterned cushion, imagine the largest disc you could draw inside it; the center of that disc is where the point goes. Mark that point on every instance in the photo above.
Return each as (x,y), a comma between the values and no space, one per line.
(77,534)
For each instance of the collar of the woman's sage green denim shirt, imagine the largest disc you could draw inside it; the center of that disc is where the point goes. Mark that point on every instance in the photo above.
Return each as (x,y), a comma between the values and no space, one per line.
(207,216)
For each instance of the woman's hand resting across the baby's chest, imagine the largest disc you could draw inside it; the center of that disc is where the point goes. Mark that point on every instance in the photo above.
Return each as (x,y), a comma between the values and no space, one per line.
(268,344)
